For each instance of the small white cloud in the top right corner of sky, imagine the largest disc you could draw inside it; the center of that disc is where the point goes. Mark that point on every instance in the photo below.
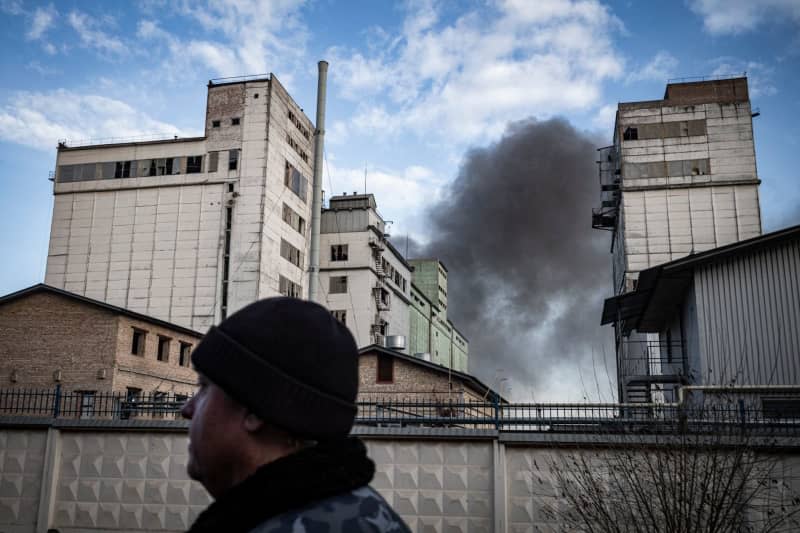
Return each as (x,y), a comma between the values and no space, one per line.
(738,16)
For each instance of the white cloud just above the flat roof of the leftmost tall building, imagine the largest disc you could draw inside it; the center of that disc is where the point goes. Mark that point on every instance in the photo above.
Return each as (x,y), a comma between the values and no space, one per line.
(40,119)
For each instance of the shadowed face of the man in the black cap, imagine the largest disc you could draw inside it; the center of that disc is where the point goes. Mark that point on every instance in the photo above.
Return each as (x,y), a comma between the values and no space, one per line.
(215,433)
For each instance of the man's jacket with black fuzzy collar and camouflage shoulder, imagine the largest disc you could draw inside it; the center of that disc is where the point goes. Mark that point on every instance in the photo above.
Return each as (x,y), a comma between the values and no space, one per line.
(321,489)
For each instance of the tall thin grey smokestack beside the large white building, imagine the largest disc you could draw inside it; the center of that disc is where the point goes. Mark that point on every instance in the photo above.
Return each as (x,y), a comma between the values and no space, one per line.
(316,205)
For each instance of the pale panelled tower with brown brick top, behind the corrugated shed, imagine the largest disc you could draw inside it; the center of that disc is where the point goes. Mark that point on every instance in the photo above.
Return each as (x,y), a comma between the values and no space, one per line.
(679,179)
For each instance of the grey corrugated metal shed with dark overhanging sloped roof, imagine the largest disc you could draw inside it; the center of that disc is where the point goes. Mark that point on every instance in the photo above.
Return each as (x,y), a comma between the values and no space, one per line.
(727,317)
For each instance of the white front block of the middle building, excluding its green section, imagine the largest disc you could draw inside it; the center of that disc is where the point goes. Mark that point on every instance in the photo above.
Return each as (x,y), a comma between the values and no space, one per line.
(364,280)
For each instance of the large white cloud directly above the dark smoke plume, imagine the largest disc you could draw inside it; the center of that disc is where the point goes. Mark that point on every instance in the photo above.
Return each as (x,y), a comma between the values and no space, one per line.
(466,78)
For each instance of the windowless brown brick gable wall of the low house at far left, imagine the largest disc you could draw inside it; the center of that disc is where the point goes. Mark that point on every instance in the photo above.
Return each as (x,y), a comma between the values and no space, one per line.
(44,332)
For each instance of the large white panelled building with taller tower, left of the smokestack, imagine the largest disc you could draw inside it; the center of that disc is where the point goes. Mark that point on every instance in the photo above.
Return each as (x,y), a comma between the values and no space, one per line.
(189,230)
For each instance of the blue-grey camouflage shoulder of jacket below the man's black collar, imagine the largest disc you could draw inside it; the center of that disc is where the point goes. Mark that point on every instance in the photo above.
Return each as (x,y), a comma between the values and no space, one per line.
(359,510)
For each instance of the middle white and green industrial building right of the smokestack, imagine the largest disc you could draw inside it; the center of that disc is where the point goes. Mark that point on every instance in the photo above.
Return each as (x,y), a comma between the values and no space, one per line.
(383,298)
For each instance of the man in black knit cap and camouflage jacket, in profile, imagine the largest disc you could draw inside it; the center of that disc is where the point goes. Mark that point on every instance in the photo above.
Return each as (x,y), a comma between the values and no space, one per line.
(269,427)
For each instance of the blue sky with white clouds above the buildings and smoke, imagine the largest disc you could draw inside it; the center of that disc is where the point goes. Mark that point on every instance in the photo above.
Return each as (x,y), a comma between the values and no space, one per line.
(412,84)
